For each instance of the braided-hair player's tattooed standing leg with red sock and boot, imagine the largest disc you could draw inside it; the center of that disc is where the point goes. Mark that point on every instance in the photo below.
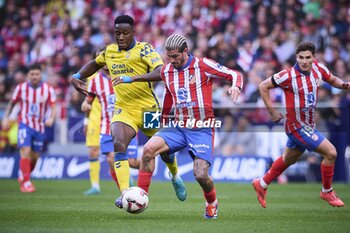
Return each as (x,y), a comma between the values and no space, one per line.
(201,173)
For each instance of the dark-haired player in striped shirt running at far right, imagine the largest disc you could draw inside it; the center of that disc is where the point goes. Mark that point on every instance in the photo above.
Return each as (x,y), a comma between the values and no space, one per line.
(300,84)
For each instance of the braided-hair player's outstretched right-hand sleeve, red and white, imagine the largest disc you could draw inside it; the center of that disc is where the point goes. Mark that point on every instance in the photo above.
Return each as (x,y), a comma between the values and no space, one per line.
(213,69)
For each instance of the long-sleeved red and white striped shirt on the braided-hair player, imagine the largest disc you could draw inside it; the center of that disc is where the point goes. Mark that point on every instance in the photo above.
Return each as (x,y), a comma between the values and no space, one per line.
(189,90)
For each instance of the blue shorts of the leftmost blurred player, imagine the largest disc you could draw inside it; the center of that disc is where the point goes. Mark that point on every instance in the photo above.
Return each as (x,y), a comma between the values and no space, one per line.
(30,137)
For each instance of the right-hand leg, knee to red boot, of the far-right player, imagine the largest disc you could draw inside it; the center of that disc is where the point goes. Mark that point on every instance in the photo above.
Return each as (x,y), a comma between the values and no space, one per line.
(329,154)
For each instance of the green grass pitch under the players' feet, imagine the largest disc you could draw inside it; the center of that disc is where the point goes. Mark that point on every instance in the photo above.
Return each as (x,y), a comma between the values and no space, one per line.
(60,206)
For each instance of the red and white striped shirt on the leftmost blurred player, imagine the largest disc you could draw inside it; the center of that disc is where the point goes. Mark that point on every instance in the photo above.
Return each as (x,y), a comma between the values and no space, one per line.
(33,103)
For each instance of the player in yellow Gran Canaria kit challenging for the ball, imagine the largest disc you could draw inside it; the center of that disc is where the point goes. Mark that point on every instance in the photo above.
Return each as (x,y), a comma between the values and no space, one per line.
(131,61)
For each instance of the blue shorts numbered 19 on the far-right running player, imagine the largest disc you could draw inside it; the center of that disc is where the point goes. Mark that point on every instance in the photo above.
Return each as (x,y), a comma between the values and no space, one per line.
(305,138)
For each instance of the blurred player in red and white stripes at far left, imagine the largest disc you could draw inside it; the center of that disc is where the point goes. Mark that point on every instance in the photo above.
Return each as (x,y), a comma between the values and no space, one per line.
(34,97)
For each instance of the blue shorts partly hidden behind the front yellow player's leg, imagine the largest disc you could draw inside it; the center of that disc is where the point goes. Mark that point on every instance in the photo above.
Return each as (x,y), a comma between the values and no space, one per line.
(106,144)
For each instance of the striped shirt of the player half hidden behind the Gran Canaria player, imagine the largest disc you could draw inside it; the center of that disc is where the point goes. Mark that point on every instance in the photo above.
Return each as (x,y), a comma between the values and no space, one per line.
(101,87)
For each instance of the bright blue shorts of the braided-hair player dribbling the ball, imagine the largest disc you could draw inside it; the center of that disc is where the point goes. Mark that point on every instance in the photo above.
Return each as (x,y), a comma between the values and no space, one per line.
(198,141)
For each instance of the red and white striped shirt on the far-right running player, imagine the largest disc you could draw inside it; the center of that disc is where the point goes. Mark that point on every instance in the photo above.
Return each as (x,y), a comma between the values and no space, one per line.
(300,90)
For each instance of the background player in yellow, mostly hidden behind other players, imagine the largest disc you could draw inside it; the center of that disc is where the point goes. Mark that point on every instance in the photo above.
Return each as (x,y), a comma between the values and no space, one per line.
(92,124)
